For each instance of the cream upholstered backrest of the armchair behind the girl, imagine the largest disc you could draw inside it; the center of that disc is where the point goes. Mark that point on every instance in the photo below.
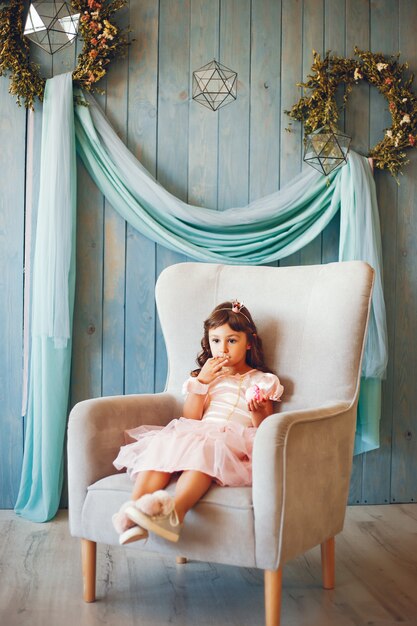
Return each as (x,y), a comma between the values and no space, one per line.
(310,319)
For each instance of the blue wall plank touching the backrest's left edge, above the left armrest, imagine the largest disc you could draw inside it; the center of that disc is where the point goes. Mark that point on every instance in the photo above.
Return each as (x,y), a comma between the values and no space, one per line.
(140,320)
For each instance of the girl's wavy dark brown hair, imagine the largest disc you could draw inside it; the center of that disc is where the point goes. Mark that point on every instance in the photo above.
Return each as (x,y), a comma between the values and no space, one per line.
(239,321)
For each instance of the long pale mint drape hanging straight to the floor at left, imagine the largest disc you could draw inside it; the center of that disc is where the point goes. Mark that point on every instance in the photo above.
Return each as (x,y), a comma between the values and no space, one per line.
(52,307)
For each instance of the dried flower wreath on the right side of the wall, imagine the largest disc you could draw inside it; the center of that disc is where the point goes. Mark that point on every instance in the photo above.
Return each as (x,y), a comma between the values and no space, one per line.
(319,108)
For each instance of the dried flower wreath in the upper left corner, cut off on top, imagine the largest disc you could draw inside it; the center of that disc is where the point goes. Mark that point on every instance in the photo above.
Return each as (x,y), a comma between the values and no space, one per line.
(103,42)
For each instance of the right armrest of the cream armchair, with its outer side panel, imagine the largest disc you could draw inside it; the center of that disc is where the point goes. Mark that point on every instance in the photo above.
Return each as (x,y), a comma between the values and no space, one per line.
(302,462)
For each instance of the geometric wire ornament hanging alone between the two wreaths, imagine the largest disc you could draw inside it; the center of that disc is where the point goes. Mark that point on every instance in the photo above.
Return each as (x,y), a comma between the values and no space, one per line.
(214,85)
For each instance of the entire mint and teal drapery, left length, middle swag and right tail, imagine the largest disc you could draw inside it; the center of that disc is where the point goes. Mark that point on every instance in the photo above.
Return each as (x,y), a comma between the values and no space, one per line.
(263,231)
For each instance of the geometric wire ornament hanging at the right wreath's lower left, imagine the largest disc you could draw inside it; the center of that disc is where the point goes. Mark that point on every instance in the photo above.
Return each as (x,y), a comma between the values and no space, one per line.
(326,149)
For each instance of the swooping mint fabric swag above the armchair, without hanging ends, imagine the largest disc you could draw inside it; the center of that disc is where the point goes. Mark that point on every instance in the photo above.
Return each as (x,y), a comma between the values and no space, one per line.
(253,235)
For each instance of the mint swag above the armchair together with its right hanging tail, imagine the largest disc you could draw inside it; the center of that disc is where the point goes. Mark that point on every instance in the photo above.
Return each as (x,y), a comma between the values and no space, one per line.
(266,230)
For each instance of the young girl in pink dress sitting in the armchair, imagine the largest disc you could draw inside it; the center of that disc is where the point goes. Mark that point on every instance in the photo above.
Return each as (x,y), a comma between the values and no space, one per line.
(227,398)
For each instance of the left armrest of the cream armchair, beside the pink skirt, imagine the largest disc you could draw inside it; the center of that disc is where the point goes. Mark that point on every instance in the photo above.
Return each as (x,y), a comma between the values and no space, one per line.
(96,432)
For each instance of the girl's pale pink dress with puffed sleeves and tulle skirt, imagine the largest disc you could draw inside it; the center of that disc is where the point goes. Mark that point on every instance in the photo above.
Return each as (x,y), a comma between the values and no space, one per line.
(220,444)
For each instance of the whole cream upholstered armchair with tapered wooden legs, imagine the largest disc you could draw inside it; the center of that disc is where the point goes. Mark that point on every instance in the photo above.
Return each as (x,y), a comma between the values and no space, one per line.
(312,320)
